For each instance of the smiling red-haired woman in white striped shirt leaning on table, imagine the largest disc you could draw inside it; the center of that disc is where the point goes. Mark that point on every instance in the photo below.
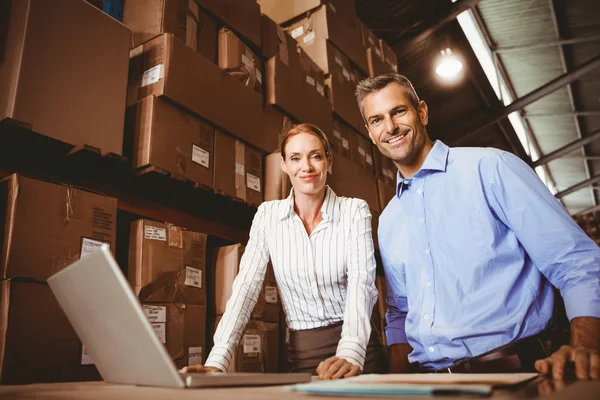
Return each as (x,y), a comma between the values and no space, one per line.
(321,248)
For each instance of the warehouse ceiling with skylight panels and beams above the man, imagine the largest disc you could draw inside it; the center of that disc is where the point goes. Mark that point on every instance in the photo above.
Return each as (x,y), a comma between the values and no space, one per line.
(531,42)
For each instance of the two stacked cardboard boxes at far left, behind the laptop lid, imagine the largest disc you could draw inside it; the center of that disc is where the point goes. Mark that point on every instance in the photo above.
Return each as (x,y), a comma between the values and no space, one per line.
(44,227)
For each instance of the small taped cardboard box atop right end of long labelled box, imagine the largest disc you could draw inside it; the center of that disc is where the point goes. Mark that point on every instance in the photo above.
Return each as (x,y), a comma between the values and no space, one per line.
(239,60)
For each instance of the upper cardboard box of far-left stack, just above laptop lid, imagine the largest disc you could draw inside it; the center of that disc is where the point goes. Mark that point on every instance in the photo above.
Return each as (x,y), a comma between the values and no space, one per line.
(44,227)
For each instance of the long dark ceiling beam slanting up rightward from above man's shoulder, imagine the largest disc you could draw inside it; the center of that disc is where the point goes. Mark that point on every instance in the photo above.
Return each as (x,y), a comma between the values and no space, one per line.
(532,97)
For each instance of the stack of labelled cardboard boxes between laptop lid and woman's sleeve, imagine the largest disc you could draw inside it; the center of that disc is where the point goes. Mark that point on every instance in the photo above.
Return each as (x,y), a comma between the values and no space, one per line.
(167,271)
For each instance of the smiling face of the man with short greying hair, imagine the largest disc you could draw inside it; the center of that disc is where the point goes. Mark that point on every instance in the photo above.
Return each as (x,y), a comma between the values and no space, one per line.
(394,125)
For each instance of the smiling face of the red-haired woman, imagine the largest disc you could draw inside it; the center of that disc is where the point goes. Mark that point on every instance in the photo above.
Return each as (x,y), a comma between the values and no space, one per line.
(305,163)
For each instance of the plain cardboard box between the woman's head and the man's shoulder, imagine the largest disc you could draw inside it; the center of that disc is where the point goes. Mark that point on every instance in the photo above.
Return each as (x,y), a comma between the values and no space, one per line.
(350,180)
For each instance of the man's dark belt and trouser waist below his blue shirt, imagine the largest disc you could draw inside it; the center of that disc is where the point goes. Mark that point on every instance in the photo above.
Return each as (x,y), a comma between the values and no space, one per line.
(519,356)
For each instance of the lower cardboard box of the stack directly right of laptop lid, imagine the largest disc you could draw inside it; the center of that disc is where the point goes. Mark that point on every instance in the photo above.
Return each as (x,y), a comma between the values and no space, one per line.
(181,328)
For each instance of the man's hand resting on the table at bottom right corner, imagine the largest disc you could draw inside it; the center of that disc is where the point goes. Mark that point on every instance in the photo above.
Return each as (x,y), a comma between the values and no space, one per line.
(585,360)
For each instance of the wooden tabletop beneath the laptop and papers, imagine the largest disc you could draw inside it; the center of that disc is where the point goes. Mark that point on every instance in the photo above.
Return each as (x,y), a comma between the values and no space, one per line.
(539,388)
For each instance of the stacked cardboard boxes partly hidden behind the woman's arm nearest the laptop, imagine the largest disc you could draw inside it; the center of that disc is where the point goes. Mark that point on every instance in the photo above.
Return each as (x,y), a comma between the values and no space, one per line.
(258,350)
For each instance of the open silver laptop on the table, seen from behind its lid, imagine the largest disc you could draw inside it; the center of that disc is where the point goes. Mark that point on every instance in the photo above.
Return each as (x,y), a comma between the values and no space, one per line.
(109,320)
